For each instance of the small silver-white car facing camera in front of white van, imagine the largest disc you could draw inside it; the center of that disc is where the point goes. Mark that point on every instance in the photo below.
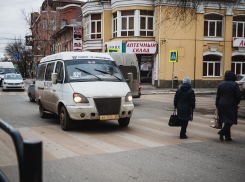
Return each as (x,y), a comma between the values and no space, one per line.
(13,81)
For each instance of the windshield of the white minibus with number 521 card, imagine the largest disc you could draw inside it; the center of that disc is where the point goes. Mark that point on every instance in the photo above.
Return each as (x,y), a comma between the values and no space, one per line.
(93,70)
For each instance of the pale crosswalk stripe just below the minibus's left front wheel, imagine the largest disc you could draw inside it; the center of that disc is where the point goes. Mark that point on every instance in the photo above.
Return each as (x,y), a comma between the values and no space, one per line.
(106,147)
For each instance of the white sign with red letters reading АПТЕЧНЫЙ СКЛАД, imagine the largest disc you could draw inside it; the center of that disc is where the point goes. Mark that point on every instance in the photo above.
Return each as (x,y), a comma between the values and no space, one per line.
(141,47)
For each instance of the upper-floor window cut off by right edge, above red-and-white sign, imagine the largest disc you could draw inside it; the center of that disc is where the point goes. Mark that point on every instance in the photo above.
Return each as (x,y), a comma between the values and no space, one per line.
(238,26)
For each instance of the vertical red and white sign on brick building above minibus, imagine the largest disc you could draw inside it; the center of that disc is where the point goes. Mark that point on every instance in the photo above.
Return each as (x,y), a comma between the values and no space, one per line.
(77,39)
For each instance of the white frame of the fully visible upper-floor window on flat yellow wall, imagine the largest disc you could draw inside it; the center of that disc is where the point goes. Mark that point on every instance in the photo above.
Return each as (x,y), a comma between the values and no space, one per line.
(215,21)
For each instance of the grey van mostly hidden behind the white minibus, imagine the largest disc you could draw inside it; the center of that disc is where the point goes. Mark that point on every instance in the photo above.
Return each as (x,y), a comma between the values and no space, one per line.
(128,63)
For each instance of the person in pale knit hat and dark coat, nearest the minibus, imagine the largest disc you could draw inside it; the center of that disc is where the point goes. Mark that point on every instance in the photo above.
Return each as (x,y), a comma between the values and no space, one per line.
(184,101)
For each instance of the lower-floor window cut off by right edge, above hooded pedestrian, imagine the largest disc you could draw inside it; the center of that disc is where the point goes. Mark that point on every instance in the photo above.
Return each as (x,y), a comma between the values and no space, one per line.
(238,65)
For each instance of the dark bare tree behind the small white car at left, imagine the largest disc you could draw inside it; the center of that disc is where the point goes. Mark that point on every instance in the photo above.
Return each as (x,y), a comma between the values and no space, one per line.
(25,61)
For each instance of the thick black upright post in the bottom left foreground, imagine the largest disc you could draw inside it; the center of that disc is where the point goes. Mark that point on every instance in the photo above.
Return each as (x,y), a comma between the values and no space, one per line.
(33,160)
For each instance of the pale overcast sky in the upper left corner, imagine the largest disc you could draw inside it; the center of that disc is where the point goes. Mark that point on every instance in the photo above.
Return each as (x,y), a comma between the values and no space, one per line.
(12,24)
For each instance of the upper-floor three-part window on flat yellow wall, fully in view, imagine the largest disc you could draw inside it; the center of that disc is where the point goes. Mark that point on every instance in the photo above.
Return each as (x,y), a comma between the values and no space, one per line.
(213,24)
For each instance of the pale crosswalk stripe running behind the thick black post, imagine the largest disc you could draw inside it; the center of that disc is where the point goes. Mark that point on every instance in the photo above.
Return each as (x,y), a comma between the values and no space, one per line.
(53,148)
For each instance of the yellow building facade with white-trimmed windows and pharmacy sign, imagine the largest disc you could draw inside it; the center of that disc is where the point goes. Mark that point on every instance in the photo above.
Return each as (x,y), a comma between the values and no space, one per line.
(208,40)
